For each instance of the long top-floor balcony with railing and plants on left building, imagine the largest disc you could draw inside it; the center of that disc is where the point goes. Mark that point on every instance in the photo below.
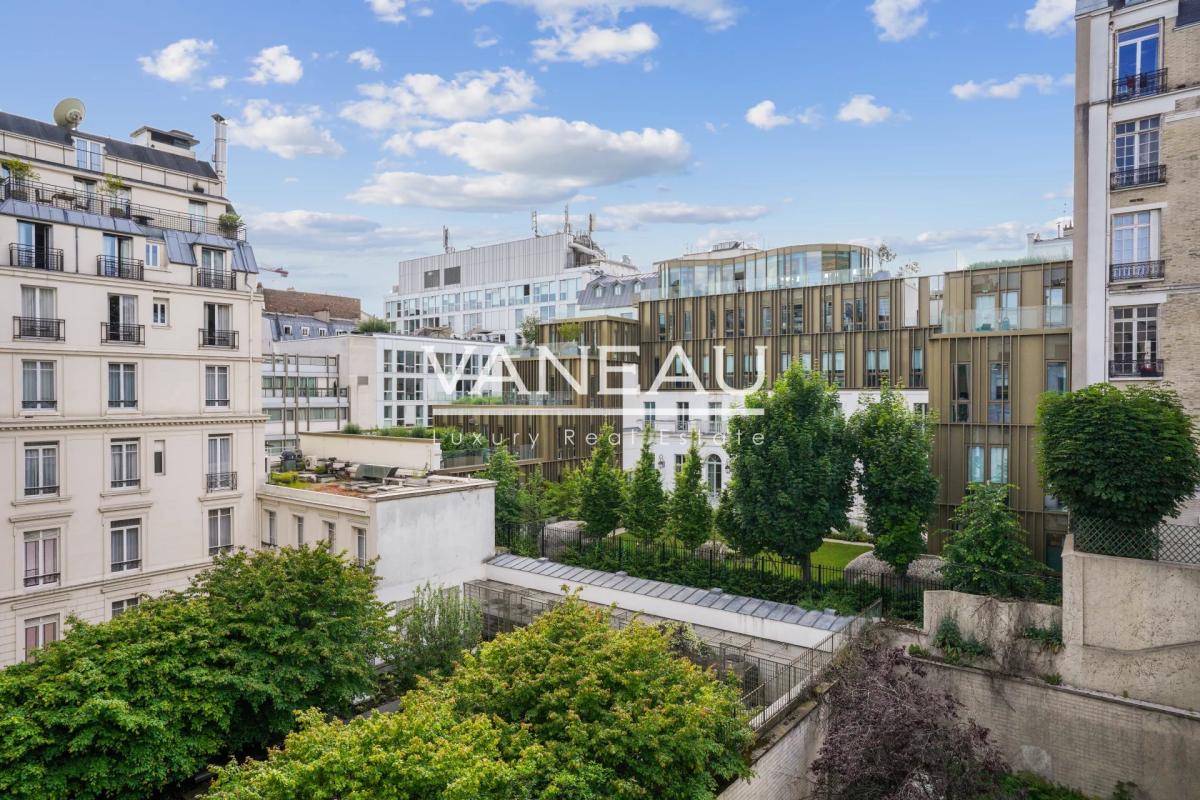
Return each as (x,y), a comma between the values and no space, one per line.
(110,206)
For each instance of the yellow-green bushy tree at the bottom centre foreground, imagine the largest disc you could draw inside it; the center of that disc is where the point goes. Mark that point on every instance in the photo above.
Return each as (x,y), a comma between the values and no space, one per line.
(565,708)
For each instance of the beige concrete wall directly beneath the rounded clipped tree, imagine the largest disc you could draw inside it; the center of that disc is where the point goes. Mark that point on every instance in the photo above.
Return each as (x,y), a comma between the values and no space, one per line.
(1132,627)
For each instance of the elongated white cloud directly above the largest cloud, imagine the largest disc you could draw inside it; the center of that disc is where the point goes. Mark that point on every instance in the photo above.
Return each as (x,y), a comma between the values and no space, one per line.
(419,98)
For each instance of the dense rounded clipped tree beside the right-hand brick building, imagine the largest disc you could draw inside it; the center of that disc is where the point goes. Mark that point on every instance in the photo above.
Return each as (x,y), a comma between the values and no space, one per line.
(1126,458)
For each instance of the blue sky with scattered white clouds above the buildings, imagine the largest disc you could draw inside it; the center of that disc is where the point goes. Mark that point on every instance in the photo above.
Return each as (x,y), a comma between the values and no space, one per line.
(359,128)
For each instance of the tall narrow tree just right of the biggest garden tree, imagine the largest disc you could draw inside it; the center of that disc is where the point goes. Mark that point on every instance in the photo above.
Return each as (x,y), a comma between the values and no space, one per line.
(893,446)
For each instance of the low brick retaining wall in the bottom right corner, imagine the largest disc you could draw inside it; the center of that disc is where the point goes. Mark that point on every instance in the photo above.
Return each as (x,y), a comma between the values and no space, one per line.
(1082,739)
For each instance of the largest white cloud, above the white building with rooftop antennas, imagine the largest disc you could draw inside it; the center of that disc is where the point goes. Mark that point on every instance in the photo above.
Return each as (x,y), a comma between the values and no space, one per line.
(529,161)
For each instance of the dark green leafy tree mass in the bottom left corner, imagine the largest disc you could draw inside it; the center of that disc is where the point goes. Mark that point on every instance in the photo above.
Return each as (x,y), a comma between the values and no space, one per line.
(151,697)
